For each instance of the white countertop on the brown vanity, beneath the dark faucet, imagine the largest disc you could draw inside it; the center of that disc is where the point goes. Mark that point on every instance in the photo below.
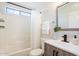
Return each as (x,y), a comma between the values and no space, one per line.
(64,46)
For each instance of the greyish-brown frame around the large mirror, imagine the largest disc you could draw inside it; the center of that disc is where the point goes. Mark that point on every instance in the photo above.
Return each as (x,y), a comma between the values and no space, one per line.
(64,29)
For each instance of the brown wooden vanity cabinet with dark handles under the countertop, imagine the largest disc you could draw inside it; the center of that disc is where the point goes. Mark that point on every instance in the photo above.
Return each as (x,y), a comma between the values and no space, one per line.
(50,50)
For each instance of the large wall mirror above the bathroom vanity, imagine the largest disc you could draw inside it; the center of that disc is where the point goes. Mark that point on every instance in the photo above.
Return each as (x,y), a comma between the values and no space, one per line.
(68,16)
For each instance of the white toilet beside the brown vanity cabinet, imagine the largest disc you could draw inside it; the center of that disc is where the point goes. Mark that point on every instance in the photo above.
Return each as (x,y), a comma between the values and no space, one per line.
(38,51)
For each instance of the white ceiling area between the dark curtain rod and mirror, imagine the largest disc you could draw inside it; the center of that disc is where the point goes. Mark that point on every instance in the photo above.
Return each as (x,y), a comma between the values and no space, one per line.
(40,6)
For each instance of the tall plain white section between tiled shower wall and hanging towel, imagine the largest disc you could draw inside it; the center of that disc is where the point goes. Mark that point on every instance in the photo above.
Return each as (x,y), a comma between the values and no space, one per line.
(35,29)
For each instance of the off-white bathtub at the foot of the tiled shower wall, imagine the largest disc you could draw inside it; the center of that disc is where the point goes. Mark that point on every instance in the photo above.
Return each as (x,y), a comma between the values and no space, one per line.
(24,52)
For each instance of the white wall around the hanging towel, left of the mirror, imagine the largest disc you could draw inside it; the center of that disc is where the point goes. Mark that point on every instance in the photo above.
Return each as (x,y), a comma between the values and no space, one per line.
(49,14)
